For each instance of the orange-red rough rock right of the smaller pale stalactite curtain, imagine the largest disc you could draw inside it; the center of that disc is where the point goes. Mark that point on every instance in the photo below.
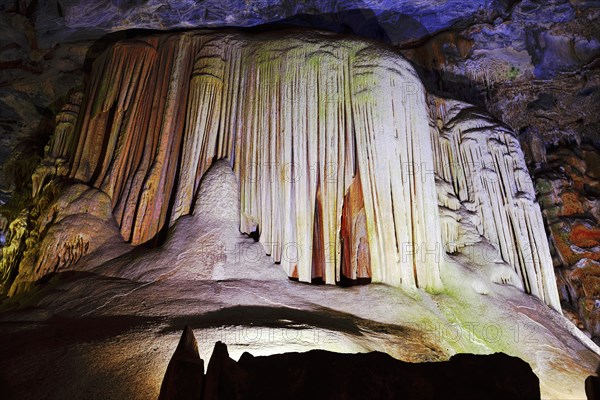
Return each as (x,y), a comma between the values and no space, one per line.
(566,181)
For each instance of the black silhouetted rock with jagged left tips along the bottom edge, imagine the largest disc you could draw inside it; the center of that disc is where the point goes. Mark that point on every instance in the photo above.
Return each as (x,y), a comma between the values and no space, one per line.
(320,374)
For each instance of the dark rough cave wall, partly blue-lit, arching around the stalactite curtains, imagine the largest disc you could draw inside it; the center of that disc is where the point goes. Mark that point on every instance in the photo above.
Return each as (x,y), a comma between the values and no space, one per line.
(533,64)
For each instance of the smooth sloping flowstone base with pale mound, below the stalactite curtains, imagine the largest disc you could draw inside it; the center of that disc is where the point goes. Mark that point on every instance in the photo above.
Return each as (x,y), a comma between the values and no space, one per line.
(108,330)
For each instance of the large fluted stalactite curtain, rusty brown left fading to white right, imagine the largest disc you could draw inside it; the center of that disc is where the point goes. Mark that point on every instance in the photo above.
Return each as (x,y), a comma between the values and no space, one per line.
(299,117)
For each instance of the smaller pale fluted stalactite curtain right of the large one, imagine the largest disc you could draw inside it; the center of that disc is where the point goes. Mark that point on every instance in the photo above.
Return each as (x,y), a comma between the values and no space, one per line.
(481,167)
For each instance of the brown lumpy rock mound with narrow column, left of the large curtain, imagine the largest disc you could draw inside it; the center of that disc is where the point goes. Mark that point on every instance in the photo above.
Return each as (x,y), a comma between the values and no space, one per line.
(62,223)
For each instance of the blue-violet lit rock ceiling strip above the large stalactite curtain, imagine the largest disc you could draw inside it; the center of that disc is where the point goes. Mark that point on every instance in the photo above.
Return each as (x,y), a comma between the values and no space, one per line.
(391,20)
